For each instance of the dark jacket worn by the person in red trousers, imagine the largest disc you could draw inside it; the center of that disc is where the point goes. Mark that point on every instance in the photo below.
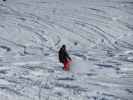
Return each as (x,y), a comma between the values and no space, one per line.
(63,55)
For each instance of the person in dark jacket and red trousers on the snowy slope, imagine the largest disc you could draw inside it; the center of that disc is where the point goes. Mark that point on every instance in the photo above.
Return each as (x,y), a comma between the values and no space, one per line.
(64,58)
